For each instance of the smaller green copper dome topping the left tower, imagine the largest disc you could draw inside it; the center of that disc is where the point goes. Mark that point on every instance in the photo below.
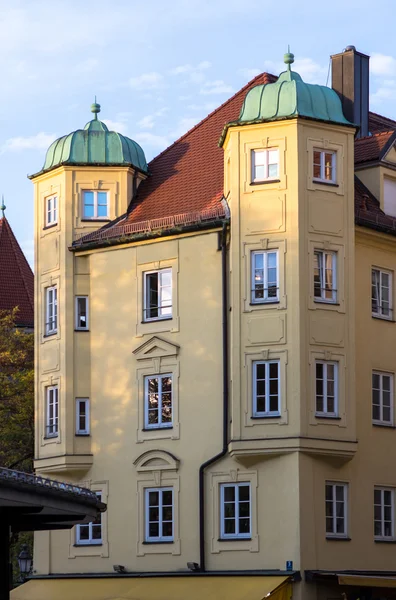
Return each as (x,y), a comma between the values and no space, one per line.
(95,145)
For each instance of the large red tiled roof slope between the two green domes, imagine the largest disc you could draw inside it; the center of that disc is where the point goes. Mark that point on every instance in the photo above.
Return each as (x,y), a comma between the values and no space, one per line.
(188,176)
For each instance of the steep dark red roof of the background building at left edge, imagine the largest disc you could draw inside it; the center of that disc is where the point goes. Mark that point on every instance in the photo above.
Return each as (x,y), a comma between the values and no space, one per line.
(16,277)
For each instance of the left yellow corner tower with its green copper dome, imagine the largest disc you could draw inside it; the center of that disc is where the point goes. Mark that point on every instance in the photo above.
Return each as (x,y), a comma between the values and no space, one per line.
(89,177)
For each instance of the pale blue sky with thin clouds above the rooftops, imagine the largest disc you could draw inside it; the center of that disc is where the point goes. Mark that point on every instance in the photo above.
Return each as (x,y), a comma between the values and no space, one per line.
(158,67)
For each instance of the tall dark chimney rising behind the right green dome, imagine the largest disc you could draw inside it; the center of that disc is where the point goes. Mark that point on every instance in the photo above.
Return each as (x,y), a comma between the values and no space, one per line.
(350,79)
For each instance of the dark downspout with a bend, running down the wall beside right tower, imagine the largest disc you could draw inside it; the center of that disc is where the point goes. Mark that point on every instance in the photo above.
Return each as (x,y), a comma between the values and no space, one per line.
(225,402)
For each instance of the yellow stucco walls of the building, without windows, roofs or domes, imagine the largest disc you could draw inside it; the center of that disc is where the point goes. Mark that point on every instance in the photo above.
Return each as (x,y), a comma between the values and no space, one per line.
(287,458)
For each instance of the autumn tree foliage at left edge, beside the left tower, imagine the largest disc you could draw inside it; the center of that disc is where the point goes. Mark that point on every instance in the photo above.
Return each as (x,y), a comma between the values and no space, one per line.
(16,394)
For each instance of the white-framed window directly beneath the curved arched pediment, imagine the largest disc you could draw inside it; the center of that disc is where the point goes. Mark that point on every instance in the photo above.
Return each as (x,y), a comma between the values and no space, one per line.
(159,514)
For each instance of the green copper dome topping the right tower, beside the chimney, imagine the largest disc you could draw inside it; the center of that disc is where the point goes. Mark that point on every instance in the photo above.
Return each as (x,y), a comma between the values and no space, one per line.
(290,97)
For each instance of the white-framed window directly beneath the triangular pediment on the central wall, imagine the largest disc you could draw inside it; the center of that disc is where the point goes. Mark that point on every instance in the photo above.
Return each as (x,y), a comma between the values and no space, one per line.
(158,401)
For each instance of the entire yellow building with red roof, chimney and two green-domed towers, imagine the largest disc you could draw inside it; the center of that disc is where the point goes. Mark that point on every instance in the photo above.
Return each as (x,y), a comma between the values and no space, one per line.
(215,346)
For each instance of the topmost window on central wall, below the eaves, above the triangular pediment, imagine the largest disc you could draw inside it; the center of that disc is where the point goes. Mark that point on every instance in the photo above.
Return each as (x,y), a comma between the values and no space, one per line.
(157,295)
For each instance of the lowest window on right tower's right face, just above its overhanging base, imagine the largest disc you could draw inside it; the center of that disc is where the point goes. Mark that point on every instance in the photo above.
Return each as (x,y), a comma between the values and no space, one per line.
(326,388)
